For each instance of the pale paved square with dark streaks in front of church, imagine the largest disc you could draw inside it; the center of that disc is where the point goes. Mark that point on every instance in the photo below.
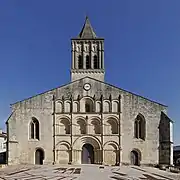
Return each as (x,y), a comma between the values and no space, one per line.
(84,172)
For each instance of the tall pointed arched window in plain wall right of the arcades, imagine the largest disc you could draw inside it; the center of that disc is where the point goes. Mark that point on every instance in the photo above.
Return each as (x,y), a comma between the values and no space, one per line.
(139,127)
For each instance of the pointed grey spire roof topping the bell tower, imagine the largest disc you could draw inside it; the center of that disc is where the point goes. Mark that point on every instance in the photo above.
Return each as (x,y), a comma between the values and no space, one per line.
(87,31)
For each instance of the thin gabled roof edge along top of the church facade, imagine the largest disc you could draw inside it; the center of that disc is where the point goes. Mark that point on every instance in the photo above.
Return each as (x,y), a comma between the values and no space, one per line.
(95,80)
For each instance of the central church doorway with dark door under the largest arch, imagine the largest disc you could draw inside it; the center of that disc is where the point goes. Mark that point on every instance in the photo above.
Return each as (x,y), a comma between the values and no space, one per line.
(87,154)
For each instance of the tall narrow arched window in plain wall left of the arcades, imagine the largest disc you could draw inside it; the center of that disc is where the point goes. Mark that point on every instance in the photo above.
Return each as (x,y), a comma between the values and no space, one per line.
(34,129)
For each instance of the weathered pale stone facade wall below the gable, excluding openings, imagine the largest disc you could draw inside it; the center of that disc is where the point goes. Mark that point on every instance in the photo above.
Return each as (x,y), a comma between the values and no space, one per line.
(22,149)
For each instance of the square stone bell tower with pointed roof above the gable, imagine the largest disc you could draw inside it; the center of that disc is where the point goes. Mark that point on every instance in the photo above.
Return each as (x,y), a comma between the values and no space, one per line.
(87,54)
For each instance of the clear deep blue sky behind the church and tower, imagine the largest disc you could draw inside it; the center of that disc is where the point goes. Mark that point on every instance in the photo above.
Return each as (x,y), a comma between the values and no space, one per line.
(142,47)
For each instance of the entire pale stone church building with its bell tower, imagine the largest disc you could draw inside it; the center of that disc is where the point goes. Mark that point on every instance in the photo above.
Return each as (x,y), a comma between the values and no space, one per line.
(88,120)
